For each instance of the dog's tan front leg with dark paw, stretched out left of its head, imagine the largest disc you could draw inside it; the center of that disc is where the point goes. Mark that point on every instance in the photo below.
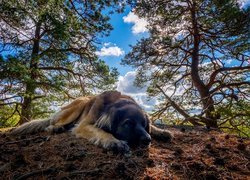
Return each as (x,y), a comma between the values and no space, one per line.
(100,137)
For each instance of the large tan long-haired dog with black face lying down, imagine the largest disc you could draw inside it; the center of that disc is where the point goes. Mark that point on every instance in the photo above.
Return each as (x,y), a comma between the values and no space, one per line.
(111,120)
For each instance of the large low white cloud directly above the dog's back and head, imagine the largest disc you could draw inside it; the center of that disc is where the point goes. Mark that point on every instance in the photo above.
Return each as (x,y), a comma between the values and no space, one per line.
(126,85)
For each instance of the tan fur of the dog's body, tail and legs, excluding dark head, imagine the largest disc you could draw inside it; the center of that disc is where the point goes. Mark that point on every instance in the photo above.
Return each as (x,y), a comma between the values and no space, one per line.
(86,111)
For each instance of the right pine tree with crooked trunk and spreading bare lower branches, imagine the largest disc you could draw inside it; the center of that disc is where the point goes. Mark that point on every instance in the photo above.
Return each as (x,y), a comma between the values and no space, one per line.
(196,56)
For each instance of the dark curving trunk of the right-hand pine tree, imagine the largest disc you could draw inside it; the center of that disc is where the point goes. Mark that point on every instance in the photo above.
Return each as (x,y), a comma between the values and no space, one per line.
(206,99)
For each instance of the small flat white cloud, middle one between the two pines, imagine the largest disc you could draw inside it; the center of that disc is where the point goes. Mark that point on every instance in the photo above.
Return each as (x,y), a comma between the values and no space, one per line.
(110,51)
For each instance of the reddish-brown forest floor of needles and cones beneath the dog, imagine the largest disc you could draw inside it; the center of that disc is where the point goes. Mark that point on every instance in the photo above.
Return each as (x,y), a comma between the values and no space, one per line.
(193,154)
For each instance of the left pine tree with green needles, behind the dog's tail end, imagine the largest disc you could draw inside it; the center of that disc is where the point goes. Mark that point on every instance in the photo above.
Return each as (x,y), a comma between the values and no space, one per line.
(48,51)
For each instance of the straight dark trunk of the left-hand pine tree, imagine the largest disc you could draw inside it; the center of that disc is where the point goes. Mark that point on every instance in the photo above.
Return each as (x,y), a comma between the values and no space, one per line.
(26,112)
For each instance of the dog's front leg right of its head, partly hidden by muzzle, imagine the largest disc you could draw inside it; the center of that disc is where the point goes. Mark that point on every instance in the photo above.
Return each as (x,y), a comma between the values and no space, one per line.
(160,134)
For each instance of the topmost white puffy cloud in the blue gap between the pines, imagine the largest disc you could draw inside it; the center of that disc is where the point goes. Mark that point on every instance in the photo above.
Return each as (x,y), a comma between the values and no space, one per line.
(140,24)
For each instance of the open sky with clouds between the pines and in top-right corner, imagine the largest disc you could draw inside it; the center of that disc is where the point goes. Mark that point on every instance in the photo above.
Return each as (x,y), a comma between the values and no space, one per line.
(128,29)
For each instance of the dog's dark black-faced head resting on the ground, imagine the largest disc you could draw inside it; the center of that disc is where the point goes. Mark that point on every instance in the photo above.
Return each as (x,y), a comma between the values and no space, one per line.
(126,121)
